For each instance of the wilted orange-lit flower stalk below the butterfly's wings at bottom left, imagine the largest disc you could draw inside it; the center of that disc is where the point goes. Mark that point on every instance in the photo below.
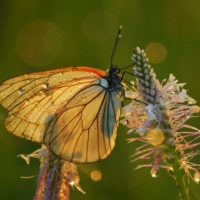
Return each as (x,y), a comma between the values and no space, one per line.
(56,175)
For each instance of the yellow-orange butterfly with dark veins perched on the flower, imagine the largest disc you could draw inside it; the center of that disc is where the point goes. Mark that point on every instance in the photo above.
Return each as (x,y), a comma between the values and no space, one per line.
(74,111)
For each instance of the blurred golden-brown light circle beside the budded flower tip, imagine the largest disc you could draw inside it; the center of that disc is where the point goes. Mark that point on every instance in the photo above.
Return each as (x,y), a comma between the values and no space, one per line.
(156,53)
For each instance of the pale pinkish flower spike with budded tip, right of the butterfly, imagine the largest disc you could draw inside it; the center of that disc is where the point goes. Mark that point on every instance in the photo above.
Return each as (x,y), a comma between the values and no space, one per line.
(158,115)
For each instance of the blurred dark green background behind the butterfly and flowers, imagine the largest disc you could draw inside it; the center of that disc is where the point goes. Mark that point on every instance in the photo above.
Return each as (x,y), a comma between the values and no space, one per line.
(41,35)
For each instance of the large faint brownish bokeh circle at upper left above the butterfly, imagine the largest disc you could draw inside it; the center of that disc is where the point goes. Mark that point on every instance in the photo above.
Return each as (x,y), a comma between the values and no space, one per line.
(39,43)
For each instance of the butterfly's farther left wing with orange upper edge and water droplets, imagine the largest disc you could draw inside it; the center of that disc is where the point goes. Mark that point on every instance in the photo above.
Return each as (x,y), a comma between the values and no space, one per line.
(34,99)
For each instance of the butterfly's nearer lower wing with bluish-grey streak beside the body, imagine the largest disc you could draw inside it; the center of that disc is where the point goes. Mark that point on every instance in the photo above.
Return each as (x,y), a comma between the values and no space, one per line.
(86,127)
